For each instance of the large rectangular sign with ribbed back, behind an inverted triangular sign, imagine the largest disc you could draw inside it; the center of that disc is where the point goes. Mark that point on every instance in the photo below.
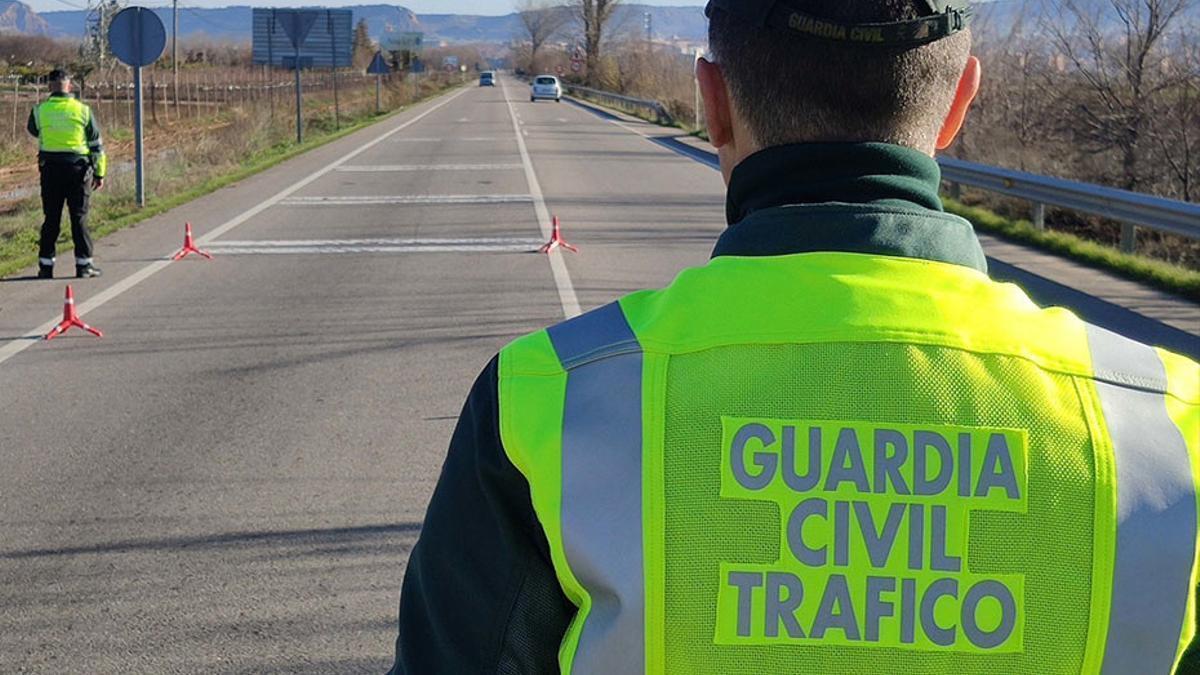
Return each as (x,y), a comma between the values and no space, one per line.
(329,41)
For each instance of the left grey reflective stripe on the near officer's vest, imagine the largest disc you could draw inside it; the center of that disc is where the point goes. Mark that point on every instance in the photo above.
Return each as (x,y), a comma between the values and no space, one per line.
(602,512)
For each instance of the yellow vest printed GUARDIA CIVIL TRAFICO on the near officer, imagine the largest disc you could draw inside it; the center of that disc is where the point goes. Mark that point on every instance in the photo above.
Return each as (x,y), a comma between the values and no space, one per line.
(854,464)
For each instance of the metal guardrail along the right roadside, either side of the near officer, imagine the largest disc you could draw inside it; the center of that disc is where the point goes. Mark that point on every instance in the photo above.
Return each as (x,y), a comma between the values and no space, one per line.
(1133,210)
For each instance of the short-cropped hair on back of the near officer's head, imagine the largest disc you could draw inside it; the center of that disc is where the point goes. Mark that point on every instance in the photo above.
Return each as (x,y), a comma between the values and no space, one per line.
(795,89)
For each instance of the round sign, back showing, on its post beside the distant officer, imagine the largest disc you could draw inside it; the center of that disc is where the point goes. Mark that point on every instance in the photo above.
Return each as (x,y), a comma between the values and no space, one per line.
(137,38)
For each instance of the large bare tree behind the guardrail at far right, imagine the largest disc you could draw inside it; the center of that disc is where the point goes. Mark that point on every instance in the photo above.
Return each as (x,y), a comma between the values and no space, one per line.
(1115,47)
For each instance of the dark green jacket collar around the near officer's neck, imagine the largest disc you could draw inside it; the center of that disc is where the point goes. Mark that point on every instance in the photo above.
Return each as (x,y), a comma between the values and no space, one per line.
(854,198)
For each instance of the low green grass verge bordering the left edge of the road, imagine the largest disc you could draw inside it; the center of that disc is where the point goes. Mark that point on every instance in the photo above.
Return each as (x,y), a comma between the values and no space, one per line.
(20,250)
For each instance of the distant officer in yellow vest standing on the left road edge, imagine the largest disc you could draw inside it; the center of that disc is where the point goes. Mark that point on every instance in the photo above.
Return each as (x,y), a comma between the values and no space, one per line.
(73,164)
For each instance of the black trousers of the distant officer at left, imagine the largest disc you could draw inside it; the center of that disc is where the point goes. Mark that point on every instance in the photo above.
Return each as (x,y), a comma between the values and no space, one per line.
(68,182)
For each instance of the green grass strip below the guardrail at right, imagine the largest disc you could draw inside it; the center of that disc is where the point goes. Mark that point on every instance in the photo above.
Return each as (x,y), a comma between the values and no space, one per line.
(1160,274)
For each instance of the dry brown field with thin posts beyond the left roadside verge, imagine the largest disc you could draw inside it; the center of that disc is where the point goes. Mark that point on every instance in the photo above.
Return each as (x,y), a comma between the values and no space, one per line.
(220,117)
